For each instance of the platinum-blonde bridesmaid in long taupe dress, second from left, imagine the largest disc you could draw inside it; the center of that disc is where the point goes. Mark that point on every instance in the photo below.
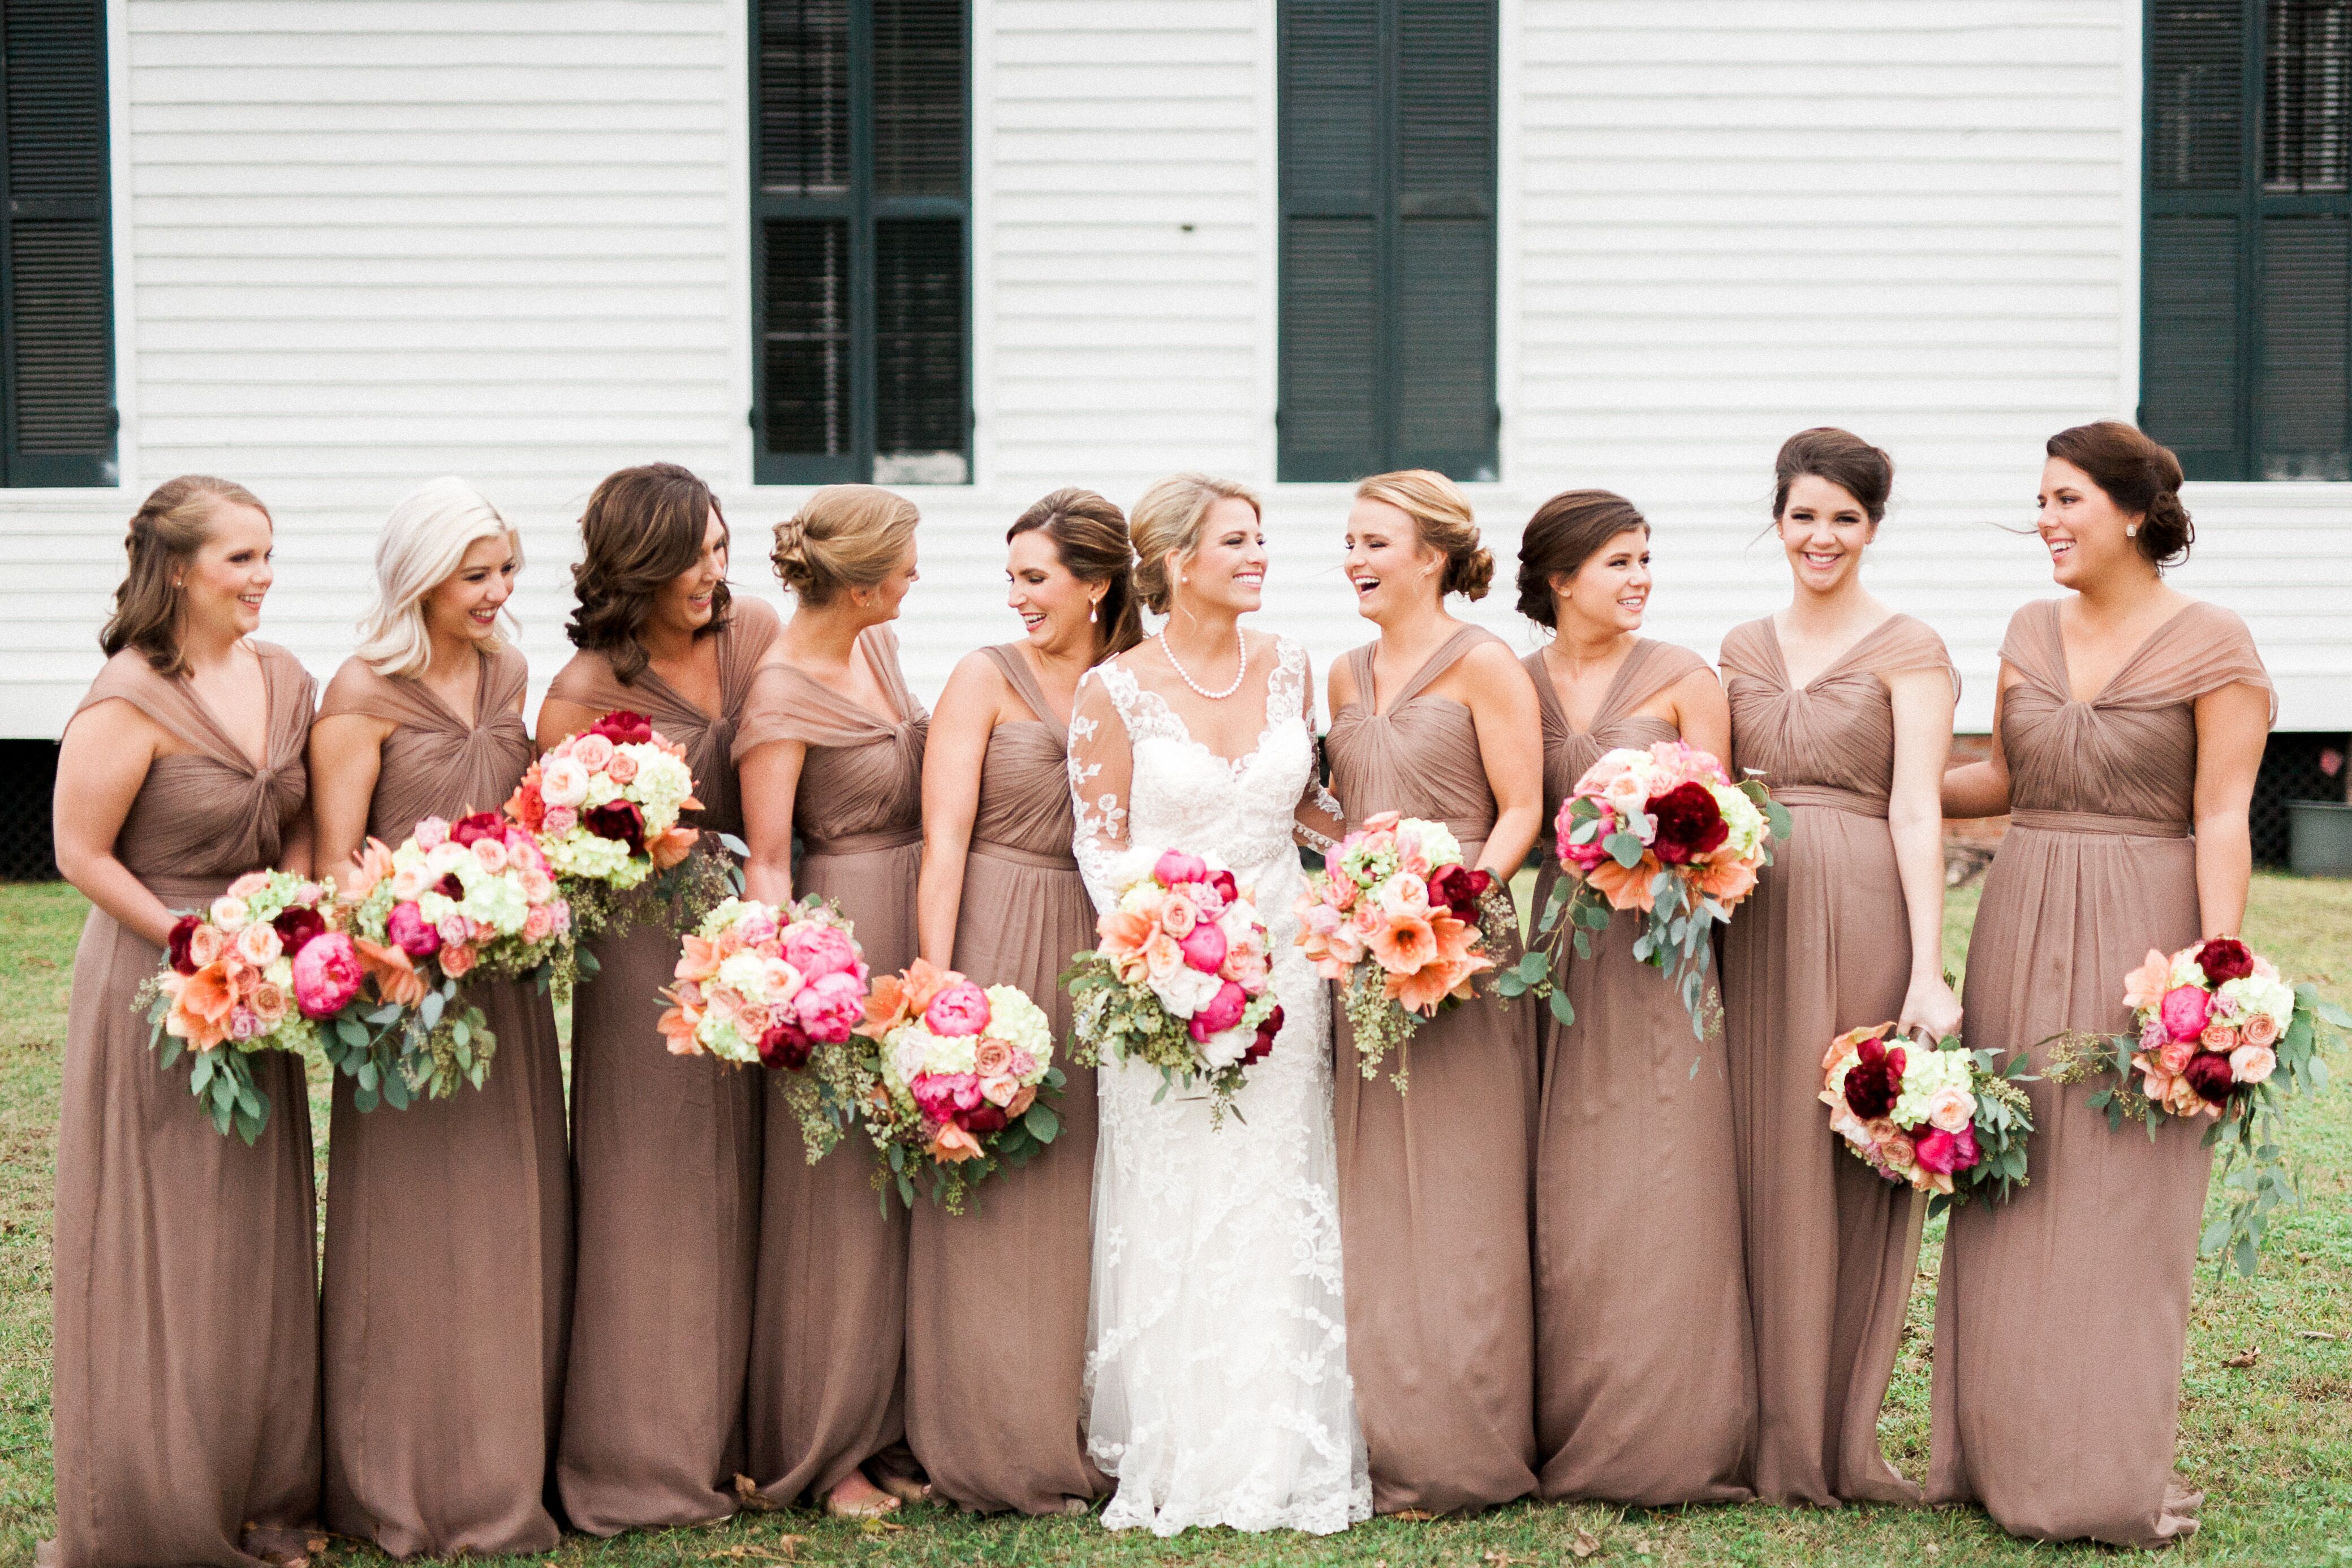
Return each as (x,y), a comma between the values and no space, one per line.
(448,1224)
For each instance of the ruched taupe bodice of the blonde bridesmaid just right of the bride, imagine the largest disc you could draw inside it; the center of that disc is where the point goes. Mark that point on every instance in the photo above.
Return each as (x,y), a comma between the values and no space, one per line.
(1419,756)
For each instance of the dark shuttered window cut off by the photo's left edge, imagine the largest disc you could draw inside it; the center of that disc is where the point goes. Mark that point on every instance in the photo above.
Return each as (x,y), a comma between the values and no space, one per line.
(58,333)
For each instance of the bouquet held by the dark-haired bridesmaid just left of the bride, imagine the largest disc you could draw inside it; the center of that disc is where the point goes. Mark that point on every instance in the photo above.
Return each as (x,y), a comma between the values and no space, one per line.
(961,1073)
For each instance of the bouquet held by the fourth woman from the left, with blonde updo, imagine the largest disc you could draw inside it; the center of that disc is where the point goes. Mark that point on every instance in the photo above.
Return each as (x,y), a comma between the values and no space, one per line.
(780,989)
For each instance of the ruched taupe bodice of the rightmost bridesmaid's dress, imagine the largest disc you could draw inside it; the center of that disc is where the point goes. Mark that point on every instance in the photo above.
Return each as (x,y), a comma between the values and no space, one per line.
(2130,751)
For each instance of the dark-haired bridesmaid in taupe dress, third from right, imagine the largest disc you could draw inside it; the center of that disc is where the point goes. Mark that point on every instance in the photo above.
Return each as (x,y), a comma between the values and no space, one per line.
(1643,1376)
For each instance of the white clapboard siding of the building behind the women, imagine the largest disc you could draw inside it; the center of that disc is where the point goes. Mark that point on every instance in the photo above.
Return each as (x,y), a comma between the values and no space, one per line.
(389,239)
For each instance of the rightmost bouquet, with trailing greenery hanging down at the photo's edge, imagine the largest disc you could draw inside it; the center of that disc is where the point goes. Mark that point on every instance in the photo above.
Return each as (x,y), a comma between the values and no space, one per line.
(2219,1036)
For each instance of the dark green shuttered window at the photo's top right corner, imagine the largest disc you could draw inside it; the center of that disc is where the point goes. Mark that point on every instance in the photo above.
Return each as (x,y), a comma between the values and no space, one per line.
(2247,255)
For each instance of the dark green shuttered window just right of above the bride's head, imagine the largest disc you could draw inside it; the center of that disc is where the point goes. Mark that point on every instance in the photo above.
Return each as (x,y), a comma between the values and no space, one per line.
(1387,340)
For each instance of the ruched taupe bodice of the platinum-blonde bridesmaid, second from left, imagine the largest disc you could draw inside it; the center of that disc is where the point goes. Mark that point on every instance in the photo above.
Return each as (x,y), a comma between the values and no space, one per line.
(439,763)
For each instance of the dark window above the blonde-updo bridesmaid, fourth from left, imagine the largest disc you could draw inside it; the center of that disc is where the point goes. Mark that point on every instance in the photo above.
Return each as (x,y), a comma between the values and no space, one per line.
(860,243)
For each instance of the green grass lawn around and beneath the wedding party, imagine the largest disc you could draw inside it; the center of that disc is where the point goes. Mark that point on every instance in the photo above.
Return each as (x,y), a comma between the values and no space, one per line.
(2269,1442)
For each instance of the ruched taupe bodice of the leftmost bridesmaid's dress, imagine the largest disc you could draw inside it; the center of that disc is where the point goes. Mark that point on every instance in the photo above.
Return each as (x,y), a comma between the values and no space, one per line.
(211,815)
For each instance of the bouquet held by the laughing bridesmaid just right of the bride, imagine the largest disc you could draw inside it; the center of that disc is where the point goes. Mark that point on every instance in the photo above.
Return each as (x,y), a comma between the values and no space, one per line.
(1394,918)
